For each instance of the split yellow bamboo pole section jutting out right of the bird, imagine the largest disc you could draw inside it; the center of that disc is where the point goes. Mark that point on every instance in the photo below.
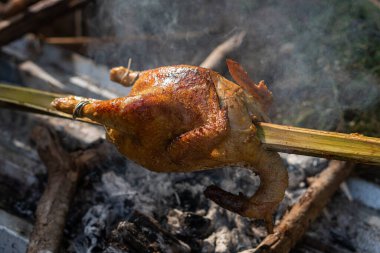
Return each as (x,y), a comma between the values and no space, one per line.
(350,147)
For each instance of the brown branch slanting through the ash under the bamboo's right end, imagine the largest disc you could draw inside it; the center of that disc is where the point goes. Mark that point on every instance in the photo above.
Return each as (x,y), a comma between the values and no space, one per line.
(295,223)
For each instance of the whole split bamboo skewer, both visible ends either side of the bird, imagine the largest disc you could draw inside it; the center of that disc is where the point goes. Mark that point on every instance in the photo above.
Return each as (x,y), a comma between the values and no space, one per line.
(352,147)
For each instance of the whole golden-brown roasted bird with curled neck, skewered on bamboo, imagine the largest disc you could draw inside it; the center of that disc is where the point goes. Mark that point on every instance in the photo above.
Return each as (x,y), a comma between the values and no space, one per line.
(185,118)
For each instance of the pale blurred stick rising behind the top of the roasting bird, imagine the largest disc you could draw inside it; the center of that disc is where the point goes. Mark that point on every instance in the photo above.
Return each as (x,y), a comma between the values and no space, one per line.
(219,54)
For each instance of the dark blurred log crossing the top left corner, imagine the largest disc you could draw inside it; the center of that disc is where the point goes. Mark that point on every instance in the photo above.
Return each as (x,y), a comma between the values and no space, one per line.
(36,16)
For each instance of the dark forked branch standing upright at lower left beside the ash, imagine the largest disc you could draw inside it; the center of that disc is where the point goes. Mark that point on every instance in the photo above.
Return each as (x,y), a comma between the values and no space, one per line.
(64,171)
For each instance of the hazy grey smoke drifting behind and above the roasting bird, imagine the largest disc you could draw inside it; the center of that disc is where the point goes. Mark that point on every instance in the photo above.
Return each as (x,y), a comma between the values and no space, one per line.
(314,55)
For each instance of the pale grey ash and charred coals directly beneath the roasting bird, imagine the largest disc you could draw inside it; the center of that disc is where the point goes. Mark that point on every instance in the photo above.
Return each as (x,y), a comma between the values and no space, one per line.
(114,192)
